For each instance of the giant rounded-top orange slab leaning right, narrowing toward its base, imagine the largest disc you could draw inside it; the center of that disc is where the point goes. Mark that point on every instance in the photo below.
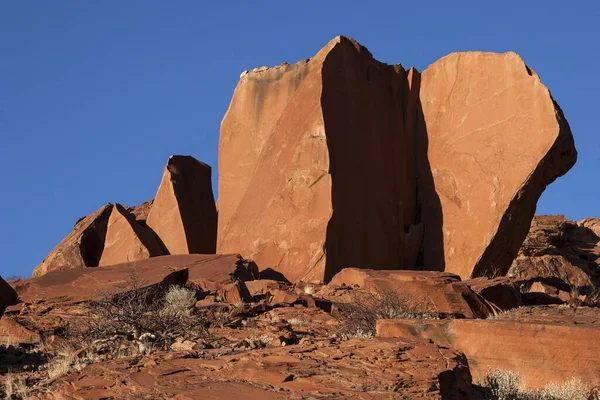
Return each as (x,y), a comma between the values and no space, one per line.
(494,139)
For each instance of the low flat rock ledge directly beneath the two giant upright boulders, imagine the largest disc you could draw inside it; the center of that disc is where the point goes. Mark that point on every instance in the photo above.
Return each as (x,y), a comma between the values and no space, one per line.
(426,291)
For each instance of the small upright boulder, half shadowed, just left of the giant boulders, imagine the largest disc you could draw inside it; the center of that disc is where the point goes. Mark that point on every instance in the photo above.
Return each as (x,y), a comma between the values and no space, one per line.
(184,215)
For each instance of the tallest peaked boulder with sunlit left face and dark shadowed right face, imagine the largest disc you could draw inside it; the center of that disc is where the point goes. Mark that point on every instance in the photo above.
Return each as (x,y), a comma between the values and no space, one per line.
(316,165)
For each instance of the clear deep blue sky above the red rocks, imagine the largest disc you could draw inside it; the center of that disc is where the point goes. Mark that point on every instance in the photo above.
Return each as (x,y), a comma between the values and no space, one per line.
(95,95)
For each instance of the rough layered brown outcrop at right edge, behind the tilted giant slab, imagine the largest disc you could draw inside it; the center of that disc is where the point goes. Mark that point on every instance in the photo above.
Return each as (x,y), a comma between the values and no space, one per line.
(556,247)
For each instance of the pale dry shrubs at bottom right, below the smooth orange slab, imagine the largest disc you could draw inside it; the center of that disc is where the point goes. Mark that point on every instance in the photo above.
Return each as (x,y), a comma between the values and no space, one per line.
(507,385)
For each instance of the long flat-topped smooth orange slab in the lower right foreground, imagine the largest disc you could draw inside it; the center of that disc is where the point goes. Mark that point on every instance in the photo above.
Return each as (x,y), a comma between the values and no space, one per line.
(540,352)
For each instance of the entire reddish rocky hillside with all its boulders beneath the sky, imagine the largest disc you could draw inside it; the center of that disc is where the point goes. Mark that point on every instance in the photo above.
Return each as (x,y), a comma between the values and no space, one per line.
(368,214)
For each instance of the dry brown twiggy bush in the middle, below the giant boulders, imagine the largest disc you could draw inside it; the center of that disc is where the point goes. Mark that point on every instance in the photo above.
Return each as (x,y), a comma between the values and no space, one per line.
(359,318)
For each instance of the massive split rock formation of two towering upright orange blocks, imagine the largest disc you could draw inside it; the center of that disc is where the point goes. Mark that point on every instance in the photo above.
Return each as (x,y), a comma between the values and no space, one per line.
(337,161)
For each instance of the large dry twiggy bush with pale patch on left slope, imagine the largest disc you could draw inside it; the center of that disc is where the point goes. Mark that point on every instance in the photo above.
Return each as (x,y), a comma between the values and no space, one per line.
(140,319)
